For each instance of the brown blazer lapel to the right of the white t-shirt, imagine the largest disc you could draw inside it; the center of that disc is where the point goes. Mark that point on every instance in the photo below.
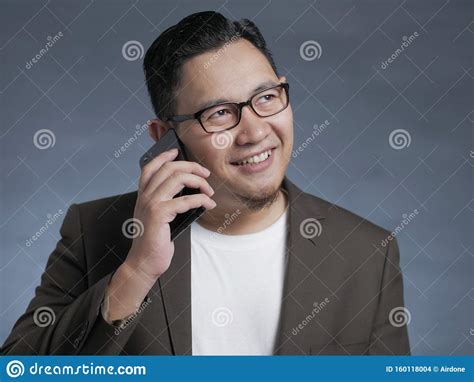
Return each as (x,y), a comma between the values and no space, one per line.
(304,282)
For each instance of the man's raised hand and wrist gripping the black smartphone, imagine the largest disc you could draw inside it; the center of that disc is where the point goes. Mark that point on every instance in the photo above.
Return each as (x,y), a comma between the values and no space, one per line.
(161,179)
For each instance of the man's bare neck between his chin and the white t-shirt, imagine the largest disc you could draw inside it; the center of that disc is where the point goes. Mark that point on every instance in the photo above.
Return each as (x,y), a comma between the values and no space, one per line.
(237,219)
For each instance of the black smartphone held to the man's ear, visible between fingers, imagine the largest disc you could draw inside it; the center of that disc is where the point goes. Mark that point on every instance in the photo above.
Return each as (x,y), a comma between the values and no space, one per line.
(167,142)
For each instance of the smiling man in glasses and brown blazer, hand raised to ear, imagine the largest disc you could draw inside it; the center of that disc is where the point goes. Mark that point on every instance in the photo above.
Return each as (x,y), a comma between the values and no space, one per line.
(267,269)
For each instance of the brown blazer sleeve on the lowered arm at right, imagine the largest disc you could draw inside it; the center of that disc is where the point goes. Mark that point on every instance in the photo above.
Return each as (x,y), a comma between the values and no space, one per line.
(389,334)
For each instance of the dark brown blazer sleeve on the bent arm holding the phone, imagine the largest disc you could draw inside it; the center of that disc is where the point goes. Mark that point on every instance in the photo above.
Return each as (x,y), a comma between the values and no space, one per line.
(64,317)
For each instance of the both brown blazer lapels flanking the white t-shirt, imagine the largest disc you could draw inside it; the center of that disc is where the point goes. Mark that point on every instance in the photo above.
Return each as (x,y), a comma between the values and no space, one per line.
(175,284)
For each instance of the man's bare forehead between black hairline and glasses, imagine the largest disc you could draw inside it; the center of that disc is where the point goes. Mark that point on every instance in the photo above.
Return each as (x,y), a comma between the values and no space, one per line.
(231,72)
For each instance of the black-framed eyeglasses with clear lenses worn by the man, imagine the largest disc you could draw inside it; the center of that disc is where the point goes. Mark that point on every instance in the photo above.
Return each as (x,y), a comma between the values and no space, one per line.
(227,115)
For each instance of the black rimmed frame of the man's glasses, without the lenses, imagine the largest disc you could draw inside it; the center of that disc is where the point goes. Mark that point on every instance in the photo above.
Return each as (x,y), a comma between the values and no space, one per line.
(238,105)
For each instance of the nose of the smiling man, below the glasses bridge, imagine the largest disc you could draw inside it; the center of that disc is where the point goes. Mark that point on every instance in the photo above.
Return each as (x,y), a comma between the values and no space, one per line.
(252,128)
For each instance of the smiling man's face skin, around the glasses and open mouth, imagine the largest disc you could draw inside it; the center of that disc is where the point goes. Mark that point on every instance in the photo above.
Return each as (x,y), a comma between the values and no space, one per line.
(233,76)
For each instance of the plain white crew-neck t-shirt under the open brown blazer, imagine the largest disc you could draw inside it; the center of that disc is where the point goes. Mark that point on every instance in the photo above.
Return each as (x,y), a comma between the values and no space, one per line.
(236,289)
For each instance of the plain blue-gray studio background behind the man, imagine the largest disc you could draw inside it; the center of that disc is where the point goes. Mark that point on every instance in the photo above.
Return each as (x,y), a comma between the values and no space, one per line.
(91,98)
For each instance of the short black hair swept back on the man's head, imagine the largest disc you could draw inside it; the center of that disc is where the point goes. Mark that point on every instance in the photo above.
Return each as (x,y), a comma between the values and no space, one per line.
(195,34)
